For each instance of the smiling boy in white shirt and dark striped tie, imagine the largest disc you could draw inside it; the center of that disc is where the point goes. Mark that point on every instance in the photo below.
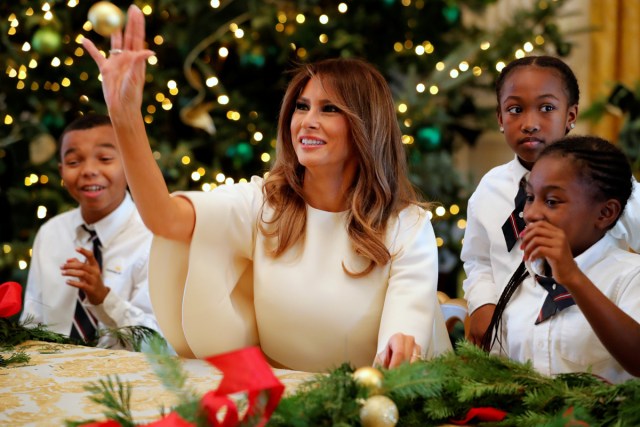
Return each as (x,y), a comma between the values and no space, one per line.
(89,265)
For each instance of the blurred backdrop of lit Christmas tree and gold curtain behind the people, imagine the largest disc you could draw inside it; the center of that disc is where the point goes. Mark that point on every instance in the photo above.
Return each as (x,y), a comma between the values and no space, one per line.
(215,84)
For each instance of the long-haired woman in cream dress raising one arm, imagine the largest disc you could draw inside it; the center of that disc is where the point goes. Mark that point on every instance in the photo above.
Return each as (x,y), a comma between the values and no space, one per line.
(329,259)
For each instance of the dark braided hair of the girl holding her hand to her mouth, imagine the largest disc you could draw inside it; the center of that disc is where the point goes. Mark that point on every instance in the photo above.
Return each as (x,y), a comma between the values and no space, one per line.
(607,173)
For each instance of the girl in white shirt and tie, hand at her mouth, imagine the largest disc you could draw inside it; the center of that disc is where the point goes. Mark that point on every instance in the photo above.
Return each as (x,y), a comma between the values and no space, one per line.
(577,190)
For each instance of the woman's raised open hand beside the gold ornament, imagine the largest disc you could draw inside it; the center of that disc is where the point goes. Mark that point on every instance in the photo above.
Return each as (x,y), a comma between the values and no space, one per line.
(123,70)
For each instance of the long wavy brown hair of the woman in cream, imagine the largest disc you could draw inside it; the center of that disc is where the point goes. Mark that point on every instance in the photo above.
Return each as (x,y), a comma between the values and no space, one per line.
(381,187)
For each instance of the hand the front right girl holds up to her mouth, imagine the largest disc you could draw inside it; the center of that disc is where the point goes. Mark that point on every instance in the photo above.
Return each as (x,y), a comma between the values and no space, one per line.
(542,240)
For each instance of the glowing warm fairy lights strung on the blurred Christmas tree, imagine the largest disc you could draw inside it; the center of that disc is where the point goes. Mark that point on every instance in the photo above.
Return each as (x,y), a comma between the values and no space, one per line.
(286,23)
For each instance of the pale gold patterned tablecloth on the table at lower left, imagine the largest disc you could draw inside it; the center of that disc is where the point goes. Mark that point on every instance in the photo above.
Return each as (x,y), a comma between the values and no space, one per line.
(49,389)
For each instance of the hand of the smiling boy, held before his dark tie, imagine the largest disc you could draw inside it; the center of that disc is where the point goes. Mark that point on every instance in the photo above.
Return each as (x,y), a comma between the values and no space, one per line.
(88,276)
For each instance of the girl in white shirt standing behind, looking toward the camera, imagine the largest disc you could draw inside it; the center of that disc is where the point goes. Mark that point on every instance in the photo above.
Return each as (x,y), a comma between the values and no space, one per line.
(537,104)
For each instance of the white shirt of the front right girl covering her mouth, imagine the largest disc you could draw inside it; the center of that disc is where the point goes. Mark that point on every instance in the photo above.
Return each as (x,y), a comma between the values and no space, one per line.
(566,342)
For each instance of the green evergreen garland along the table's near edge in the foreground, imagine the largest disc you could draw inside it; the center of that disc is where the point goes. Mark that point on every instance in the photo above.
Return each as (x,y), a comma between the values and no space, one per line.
(429,393)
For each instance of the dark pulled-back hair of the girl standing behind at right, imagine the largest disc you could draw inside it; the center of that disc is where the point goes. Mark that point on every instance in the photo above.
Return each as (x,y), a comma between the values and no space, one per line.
(570,82)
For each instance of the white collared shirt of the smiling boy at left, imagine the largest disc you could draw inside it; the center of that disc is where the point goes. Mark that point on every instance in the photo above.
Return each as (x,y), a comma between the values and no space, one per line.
(125,251)
